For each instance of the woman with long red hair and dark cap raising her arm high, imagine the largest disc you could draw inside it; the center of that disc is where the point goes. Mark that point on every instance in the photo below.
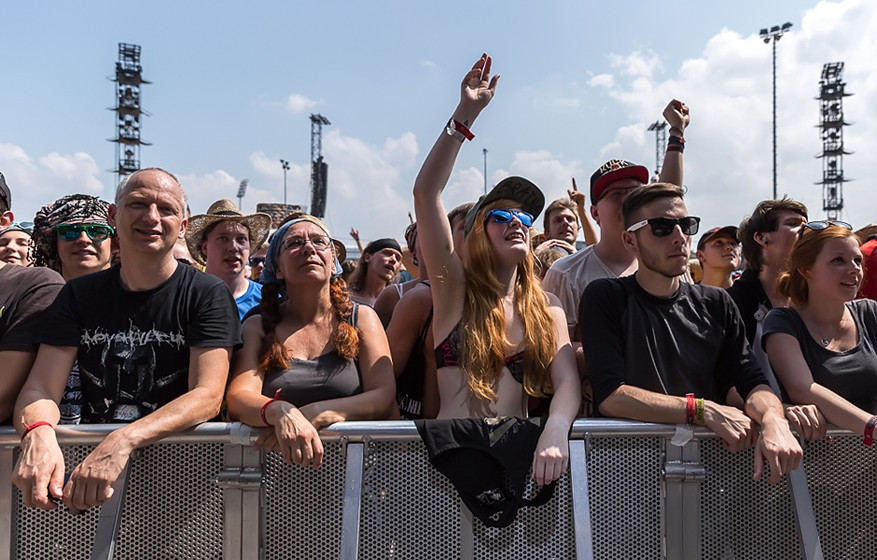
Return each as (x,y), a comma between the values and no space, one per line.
(499,338)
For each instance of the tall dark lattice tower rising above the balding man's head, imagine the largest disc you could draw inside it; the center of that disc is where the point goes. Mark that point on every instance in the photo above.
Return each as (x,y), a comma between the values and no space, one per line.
(128,80)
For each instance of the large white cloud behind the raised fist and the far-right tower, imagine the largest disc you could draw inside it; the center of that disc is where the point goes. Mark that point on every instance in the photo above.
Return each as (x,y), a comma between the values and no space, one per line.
(728,88)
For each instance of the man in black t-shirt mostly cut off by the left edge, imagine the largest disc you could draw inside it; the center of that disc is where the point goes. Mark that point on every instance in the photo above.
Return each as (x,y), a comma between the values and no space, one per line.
(24,294)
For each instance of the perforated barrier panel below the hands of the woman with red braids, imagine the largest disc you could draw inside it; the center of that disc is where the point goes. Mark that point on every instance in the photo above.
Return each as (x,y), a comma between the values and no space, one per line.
(303,507)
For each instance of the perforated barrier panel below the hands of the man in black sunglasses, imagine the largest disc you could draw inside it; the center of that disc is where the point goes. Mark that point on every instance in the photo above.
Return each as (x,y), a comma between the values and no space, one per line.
(741,518)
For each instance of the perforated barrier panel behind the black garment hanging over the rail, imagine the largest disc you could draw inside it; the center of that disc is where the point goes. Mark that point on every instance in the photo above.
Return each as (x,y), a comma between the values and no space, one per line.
(412,511)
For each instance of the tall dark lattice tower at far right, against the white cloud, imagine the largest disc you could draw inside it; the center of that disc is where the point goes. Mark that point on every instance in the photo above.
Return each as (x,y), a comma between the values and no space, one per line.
(831,123)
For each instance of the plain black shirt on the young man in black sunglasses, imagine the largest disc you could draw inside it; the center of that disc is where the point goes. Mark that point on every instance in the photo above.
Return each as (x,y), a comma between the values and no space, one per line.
(692,342)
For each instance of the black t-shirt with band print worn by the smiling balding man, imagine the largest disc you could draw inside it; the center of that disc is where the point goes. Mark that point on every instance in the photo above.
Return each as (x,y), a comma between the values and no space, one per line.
(134,345)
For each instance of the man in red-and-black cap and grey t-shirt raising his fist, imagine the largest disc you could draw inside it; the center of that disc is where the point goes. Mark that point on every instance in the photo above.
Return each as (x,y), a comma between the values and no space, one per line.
(610,184)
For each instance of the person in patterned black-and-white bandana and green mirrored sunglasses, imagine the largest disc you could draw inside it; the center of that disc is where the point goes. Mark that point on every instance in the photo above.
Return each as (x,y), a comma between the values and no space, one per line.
(73,237)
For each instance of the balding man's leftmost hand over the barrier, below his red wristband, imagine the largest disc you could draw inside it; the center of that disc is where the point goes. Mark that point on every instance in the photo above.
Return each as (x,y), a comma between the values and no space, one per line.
(39,473)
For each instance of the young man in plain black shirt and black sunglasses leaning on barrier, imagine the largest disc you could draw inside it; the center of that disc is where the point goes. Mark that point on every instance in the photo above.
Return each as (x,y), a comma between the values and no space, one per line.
(662,350)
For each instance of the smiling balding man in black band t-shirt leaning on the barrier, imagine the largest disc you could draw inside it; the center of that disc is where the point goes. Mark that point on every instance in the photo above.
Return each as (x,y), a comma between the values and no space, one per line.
(153,339)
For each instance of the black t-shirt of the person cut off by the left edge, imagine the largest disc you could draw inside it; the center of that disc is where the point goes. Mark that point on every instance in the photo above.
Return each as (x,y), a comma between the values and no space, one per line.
(25,292)
